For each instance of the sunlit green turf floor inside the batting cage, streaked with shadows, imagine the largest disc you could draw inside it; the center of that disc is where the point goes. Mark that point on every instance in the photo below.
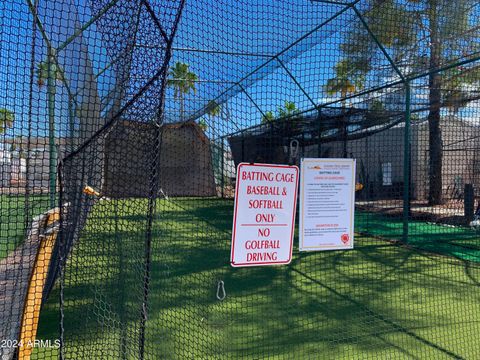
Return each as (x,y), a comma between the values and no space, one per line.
(379,300)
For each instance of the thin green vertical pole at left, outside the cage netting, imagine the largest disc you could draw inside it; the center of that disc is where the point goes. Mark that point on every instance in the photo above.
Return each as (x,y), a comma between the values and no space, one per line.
(51,78)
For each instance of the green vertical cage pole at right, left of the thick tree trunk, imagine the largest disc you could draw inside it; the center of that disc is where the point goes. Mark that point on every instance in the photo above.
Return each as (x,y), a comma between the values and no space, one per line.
(406,162)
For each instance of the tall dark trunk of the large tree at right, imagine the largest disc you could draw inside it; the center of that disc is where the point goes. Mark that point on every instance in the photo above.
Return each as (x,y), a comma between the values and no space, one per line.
(435,134)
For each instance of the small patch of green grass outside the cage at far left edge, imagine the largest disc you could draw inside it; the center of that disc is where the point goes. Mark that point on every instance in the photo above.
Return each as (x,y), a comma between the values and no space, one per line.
(15,212)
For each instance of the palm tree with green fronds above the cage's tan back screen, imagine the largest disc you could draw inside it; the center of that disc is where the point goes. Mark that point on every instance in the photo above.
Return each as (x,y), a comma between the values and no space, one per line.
(182,80)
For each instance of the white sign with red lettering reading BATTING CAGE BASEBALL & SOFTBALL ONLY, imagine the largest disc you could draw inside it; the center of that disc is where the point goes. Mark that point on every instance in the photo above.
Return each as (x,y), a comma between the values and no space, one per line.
(264,217)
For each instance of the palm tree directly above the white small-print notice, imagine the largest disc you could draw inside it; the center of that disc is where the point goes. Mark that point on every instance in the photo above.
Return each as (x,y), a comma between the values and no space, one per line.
(344,83)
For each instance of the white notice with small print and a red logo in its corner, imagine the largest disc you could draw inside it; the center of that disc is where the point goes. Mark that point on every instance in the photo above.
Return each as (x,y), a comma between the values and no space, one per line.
(327,200)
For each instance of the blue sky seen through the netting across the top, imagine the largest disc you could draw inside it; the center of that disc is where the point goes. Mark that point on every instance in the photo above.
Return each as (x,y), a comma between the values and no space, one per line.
(248,33)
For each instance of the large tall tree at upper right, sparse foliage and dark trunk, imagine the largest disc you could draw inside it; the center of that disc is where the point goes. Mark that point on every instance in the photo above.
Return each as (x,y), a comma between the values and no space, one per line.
(419,35)
